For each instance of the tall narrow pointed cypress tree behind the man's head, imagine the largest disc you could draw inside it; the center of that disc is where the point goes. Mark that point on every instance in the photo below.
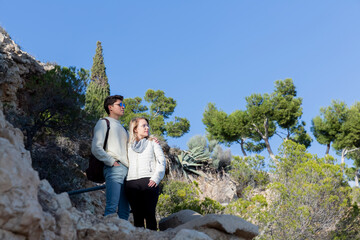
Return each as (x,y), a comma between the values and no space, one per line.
(98,88)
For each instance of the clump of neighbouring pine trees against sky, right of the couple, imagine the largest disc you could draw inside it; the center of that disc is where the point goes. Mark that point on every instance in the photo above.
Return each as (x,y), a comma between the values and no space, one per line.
(264,115)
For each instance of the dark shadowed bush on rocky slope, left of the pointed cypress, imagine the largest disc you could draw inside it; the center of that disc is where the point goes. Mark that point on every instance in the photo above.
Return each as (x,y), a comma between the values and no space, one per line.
(52,101)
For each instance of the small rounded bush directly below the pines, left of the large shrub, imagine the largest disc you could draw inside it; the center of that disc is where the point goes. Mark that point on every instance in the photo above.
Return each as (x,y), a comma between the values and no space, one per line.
(249,171)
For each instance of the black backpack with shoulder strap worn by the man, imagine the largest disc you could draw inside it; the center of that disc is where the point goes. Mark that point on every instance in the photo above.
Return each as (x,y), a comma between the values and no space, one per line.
(95,171)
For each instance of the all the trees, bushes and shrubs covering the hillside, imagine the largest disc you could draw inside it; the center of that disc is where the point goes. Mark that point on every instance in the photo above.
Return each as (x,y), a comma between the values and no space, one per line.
(292,195)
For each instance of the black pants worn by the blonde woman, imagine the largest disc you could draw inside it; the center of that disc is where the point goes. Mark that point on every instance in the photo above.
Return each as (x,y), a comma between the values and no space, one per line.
(143,200)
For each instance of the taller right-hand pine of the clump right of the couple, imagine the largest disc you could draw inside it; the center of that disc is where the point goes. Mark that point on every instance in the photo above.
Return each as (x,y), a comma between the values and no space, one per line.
(281,108)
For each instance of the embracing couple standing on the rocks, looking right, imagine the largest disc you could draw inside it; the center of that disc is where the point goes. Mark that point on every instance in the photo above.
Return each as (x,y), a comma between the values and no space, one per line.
(134,165)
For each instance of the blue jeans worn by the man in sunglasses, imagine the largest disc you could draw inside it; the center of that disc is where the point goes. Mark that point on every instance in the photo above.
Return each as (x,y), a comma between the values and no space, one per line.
(116,200)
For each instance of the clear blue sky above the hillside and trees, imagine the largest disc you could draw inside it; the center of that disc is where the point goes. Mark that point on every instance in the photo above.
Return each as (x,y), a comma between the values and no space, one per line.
(202,51)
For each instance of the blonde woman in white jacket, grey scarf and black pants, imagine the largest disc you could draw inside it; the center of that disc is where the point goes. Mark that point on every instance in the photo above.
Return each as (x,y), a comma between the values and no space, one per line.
(146,169)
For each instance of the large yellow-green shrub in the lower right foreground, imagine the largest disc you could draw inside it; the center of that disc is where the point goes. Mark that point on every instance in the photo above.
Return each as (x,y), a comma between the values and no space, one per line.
(309,193)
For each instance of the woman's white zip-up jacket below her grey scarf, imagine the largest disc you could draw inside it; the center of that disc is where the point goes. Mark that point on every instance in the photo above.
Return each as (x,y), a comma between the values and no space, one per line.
(150,163)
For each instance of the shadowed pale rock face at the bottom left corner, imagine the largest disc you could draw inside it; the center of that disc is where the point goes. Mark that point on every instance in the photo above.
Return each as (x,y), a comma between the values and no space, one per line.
(20,210)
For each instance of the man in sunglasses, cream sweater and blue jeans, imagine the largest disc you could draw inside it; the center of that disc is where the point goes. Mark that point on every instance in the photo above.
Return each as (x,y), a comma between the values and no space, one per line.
(114,156)
